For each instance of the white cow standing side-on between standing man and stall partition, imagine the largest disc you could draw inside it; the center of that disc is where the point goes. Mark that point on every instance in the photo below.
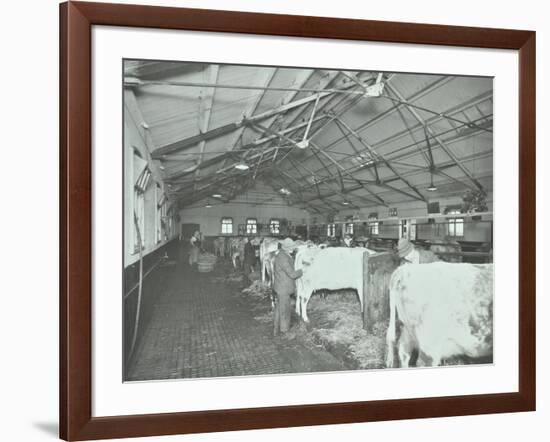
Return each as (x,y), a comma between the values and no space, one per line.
(332,268)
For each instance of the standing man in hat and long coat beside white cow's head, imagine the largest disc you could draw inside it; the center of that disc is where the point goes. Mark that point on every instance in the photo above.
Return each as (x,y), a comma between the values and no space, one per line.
(283,286)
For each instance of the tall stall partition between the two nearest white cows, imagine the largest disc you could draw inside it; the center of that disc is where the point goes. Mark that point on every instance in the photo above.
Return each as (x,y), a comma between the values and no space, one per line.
(377,271)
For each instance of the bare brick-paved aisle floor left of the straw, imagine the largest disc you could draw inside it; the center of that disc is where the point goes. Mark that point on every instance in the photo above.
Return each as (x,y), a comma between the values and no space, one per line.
(203,328)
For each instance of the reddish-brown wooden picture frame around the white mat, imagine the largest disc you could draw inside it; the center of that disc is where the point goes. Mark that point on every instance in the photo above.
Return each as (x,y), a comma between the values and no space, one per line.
(76,21)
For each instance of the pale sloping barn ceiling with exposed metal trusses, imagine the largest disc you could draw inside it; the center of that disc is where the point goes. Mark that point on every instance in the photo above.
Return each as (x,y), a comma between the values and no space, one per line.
(364,150)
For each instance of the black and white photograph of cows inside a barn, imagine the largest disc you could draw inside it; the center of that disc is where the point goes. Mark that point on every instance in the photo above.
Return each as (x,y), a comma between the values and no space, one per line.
(289,220)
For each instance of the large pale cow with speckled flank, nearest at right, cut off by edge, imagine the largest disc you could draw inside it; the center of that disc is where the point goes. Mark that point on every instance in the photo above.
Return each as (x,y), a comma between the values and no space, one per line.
(445,311)
